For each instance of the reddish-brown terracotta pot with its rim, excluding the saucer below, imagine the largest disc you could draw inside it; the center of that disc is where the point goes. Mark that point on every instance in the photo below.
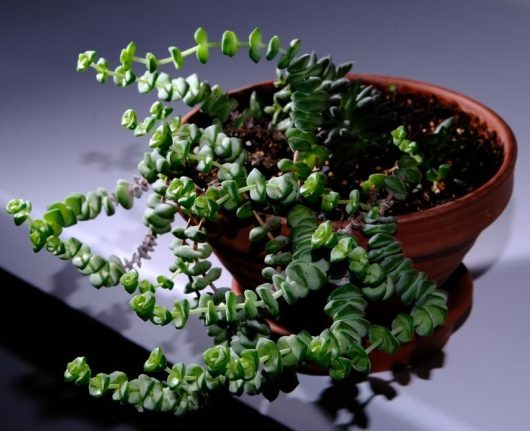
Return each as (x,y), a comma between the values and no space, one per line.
(436,239)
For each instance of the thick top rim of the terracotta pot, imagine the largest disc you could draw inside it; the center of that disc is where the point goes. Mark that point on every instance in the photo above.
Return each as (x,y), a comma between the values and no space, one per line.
(469,105)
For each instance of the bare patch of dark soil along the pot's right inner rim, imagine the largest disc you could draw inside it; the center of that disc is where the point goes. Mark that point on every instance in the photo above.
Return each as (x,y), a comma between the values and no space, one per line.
(472,151)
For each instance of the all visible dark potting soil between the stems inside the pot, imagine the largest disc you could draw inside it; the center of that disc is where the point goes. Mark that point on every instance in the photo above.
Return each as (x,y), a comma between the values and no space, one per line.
(472,151)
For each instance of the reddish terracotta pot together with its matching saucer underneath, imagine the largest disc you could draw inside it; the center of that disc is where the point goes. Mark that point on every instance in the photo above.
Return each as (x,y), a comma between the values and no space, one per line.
(436,239)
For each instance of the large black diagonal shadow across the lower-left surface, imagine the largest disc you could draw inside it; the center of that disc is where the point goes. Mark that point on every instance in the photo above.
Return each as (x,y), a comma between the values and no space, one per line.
(39,335)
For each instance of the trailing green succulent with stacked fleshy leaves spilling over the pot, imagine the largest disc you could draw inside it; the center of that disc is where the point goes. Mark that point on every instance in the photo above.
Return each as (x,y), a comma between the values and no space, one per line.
(202,172)
